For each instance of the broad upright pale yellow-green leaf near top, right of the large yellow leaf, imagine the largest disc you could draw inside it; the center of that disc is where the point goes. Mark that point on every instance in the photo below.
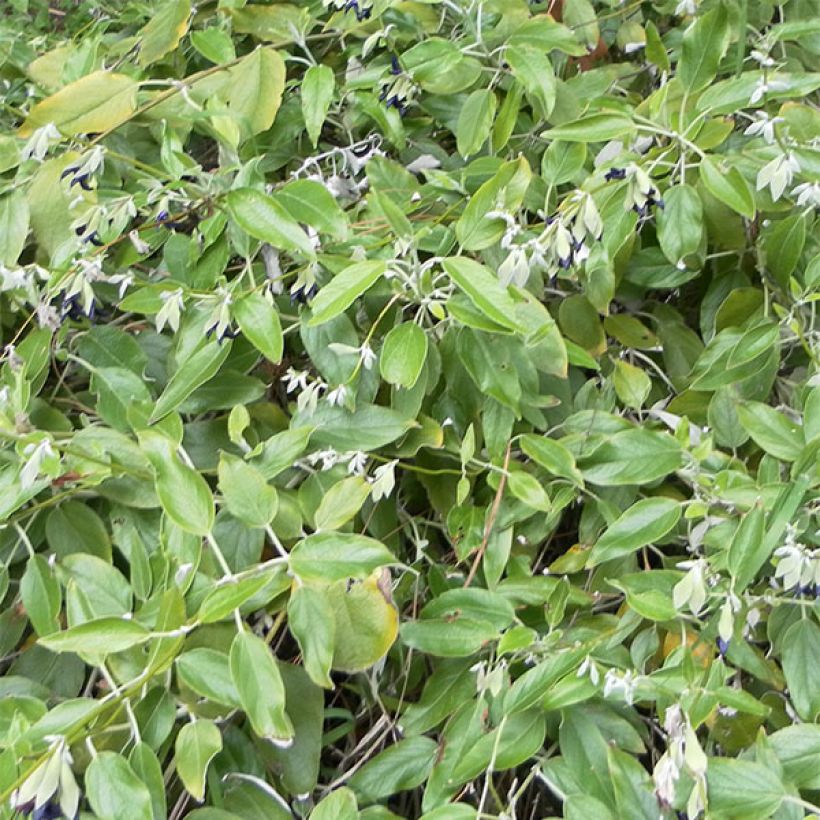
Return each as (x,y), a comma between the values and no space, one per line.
(256,87)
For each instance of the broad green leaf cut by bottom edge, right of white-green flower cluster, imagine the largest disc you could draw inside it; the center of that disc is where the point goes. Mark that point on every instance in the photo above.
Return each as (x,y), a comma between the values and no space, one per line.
(741,788)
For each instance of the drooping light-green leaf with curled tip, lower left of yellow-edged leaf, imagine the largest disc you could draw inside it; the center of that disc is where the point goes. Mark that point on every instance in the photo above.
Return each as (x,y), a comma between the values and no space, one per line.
(261,691)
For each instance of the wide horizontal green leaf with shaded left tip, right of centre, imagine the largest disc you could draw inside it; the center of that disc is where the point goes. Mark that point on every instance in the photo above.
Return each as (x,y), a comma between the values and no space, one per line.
(636,456)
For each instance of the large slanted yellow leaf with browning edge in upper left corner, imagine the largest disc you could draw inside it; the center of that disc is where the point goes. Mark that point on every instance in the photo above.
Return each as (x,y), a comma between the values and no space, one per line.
(96,102)
